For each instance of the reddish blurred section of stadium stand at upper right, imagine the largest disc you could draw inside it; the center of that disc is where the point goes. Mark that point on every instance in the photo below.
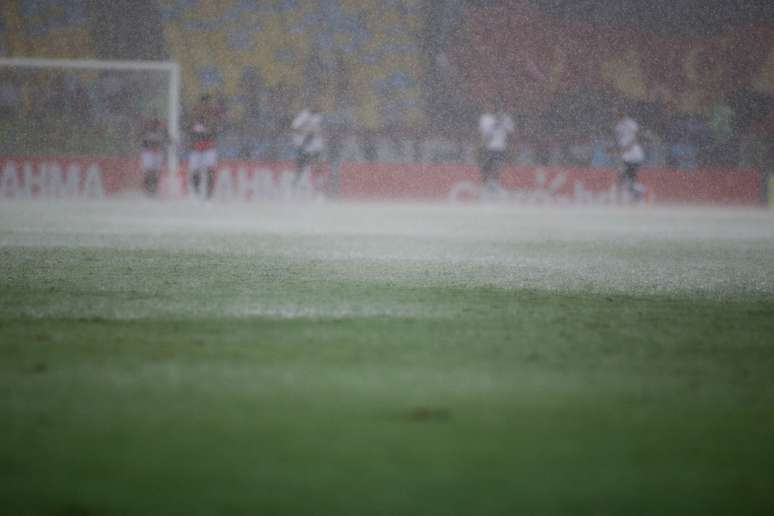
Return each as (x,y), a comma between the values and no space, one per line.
(700,96)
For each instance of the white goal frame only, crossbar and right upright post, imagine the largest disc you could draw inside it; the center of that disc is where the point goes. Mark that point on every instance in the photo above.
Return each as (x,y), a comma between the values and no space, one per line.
(169,68)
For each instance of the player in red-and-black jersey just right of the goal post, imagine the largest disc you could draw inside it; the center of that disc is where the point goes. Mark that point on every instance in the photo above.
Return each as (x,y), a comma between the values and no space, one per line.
(203,132)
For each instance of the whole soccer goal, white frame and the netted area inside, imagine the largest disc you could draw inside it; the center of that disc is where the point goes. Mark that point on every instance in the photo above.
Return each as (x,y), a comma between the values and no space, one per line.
(73,127)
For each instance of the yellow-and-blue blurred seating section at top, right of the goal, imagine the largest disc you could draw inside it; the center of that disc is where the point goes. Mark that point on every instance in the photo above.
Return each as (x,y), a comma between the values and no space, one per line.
(218,41)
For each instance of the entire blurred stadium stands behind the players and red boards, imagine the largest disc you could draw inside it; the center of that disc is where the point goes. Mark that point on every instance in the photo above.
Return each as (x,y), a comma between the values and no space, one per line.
(405,80)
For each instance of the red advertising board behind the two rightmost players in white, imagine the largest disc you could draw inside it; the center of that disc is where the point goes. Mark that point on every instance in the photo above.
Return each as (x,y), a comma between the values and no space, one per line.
(546,184)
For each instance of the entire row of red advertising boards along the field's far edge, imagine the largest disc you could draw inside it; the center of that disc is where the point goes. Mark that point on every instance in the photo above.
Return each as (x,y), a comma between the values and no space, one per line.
(89,178)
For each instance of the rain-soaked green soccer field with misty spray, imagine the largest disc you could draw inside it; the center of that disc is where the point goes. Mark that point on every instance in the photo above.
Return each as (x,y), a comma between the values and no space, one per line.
(385,359)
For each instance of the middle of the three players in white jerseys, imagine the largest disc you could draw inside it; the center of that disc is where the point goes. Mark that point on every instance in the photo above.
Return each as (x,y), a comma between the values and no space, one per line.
(495,127)
